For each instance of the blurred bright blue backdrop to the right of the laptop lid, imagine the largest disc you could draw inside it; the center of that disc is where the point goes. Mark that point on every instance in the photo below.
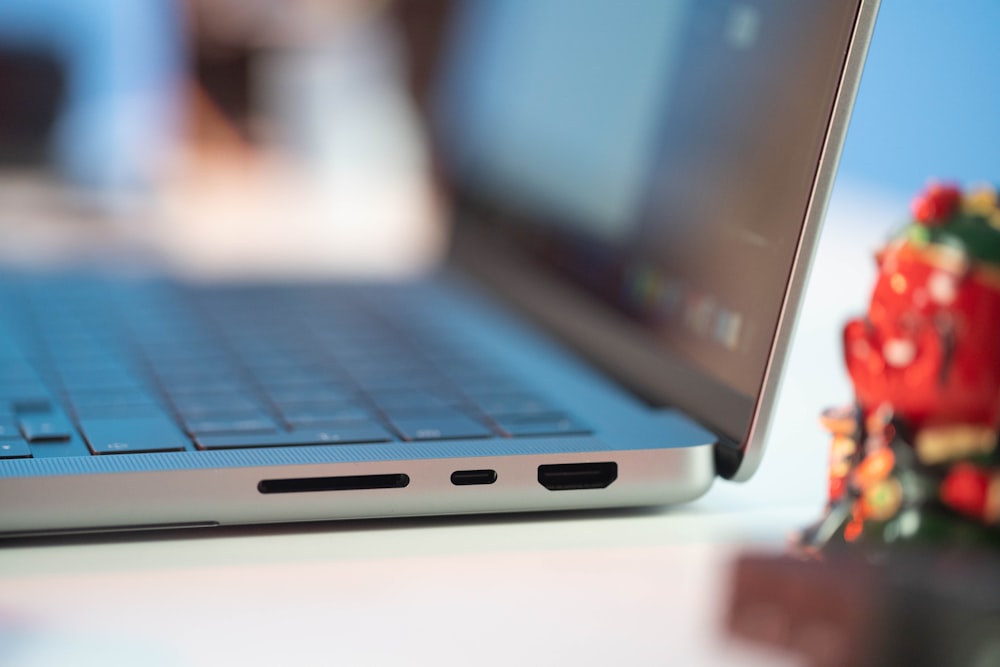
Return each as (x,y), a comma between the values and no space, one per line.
(929,103)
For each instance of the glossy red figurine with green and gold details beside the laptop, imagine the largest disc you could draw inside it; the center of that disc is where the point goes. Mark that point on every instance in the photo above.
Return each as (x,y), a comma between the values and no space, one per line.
(916,458)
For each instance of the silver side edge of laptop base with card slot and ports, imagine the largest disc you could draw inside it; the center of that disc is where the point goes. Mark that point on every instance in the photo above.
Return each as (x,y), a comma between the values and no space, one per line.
(403,488)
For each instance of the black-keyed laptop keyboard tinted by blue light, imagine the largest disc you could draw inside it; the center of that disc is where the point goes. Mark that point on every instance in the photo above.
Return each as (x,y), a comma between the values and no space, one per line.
(118,369)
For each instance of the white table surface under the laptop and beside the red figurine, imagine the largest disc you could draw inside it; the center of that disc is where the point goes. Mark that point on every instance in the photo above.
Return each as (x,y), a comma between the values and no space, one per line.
(634,587)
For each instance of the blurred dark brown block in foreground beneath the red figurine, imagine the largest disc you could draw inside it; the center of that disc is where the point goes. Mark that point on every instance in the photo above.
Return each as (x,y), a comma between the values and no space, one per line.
(909,608)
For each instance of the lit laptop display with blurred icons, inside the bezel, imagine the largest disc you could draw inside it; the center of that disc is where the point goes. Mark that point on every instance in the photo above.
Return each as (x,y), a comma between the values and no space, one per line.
(660,154)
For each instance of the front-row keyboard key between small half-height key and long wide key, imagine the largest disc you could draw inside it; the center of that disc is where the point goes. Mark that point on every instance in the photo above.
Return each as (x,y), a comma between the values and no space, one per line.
(133,434)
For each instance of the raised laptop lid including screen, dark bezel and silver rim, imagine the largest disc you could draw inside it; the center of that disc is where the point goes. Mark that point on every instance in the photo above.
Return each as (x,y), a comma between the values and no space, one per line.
(647,180)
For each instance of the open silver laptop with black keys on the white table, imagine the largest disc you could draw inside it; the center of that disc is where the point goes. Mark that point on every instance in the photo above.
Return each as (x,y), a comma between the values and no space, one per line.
(637,188)
